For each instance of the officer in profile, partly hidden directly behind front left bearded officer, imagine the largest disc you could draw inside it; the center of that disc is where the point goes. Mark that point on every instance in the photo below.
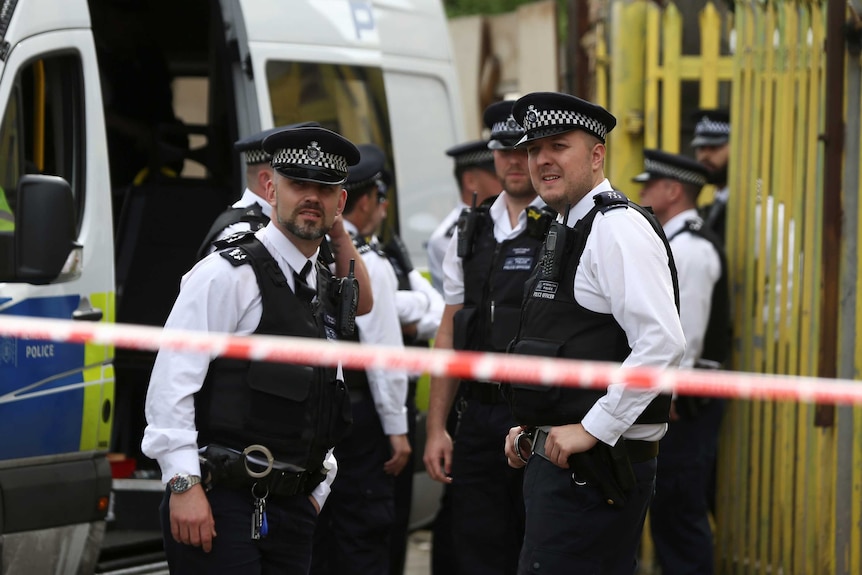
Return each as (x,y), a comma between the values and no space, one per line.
(354,530)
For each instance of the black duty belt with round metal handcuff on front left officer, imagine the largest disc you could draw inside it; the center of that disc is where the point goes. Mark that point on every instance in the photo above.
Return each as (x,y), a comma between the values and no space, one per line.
(252,466)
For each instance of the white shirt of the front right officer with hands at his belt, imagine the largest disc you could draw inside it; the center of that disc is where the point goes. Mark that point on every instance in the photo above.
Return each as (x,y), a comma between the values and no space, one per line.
(624,272)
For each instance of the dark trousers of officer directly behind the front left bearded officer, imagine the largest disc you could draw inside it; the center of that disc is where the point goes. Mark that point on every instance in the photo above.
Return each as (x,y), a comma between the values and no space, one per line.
(354,528)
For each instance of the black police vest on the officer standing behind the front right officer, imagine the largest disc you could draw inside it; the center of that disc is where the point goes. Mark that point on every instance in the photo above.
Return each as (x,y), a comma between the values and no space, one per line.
(495,275)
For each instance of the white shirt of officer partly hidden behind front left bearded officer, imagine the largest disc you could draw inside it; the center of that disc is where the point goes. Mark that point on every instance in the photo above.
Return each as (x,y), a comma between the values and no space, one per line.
(381,326)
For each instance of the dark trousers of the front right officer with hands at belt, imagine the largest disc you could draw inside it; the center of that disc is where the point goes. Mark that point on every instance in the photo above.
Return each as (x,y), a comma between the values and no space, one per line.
(570,527)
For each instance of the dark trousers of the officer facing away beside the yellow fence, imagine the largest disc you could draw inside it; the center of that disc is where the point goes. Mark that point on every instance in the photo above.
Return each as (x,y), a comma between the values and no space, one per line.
(679,514)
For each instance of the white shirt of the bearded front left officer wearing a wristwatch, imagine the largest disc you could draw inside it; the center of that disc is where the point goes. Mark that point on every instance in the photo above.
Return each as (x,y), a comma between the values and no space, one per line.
(215,296)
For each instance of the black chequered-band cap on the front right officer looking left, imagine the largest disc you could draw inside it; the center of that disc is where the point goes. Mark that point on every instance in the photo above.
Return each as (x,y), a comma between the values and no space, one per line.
(544,114)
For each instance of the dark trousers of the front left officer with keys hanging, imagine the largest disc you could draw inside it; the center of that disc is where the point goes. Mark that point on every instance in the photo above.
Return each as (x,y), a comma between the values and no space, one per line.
(286,550)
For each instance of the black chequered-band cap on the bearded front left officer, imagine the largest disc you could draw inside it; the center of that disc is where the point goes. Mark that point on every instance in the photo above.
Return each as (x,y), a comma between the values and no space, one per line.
(311,154)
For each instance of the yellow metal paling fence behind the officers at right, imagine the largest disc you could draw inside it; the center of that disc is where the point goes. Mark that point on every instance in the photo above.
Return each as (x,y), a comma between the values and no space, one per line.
(790,475)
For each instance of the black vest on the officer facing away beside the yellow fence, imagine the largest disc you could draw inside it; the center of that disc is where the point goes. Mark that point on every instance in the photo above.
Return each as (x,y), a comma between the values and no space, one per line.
(716,341)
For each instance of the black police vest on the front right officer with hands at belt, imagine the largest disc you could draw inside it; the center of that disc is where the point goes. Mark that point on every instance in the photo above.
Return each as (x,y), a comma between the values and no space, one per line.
(553,324)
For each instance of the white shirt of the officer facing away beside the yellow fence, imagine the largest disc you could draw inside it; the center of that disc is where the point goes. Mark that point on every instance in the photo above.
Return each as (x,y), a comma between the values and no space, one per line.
(698,267)
